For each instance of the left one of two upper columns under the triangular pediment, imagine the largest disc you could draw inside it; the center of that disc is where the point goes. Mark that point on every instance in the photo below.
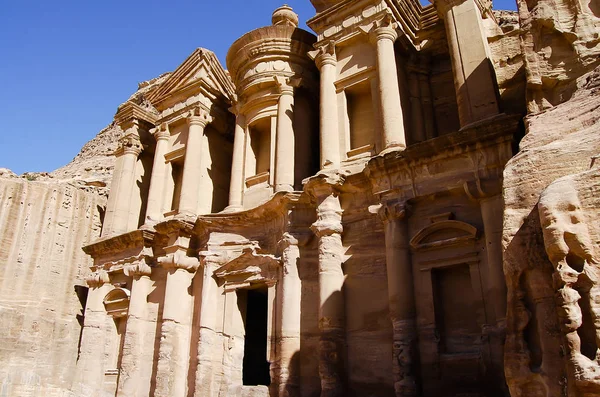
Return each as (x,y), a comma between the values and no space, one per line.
(154,210)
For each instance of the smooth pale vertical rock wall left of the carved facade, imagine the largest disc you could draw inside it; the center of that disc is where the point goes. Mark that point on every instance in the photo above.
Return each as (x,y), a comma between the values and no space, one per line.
(42,228)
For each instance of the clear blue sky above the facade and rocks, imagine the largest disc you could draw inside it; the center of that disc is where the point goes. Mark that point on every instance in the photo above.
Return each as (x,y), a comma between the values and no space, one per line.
(65,65)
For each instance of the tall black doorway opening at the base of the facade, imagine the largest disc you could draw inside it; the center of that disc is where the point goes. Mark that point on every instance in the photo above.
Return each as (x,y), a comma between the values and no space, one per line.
(256,366)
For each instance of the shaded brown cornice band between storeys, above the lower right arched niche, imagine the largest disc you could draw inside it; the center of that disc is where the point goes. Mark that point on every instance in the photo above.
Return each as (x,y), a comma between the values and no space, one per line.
(483,148)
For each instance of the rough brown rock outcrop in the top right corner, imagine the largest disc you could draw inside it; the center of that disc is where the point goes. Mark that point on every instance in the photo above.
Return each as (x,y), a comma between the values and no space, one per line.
(560,43)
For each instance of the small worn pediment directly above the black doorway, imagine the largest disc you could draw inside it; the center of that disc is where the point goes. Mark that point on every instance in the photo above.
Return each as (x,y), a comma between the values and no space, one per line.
(247,269)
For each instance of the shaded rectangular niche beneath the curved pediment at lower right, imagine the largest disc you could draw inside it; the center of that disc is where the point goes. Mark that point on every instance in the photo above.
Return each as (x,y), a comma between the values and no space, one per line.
(456,306)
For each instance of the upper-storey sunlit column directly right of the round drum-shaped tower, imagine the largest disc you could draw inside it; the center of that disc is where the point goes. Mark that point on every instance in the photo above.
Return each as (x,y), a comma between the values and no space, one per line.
(330,139)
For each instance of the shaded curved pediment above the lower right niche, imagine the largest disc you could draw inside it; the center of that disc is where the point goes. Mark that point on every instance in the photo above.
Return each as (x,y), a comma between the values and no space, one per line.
(443,234)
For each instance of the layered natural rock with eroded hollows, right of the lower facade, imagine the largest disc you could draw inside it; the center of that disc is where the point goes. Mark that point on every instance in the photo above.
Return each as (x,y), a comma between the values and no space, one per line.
(551,242)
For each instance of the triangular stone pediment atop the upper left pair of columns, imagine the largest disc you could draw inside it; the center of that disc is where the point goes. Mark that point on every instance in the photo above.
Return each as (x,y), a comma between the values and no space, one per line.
(200,69)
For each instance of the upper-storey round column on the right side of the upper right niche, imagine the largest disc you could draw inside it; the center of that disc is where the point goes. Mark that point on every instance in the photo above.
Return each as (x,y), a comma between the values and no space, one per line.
(389,92)
